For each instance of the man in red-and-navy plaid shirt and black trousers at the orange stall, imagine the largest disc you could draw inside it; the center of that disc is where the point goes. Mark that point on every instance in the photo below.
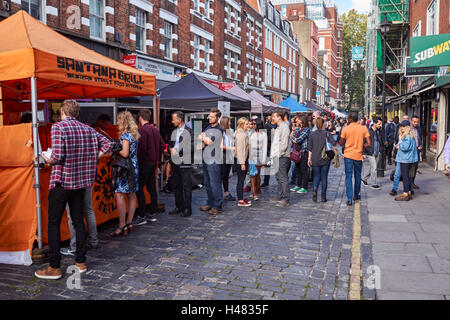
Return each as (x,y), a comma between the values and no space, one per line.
(76,148)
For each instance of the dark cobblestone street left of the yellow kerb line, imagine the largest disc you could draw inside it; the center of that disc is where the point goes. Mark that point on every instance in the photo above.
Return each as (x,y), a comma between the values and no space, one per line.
(262,252)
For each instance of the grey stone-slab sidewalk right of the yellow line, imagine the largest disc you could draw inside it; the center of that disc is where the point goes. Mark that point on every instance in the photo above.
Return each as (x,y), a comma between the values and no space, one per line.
(411,240)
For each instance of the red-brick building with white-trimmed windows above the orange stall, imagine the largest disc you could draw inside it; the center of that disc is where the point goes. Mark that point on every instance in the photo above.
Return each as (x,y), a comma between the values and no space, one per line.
(217,39)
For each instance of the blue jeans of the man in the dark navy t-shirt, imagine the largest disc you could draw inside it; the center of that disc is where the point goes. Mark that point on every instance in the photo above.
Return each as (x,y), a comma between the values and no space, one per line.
(213,181)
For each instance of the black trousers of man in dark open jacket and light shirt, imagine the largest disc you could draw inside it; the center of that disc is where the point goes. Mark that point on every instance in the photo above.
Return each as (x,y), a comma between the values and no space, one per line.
(183,187)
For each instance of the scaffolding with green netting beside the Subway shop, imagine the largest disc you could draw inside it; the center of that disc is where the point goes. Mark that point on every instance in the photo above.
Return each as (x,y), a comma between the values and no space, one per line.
(397,42)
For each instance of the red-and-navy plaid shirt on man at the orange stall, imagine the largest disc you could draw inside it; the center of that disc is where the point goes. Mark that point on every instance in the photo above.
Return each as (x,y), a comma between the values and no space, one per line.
(75,148)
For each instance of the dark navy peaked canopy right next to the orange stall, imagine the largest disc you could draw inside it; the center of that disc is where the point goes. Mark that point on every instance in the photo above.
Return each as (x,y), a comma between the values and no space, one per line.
(195,94)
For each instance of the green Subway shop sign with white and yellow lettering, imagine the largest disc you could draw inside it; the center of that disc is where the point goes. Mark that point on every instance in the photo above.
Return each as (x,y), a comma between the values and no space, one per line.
(430,51)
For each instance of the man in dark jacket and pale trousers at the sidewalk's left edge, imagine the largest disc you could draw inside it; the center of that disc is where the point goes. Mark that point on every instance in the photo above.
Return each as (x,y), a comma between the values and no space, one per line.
(373,152)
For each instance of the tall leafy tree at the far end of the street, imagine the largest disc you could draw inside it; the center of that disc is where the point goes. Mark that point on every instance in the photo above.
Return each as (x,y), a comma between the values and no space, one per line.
(353,72)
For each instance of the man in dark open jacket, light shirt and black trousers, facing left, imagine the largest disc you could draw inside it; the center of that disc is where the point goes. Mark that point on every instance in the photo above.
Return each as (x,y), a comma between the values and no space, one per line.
(181,147)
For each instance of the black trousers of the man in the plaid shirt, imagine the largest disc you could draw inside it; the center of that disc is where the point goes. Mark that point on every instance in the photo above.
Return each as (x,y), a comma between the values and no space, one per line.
(57,200)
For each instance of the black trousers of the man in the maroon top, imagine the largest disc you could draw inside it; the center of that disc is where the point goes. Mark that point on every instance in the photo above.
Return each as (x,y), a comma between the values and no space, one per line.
(147,178)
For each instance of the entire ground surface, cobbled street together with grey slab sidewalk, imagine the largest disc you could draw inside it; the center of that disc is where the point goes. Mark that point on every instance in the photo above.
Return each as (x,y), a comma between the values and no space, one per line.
(308,251)
